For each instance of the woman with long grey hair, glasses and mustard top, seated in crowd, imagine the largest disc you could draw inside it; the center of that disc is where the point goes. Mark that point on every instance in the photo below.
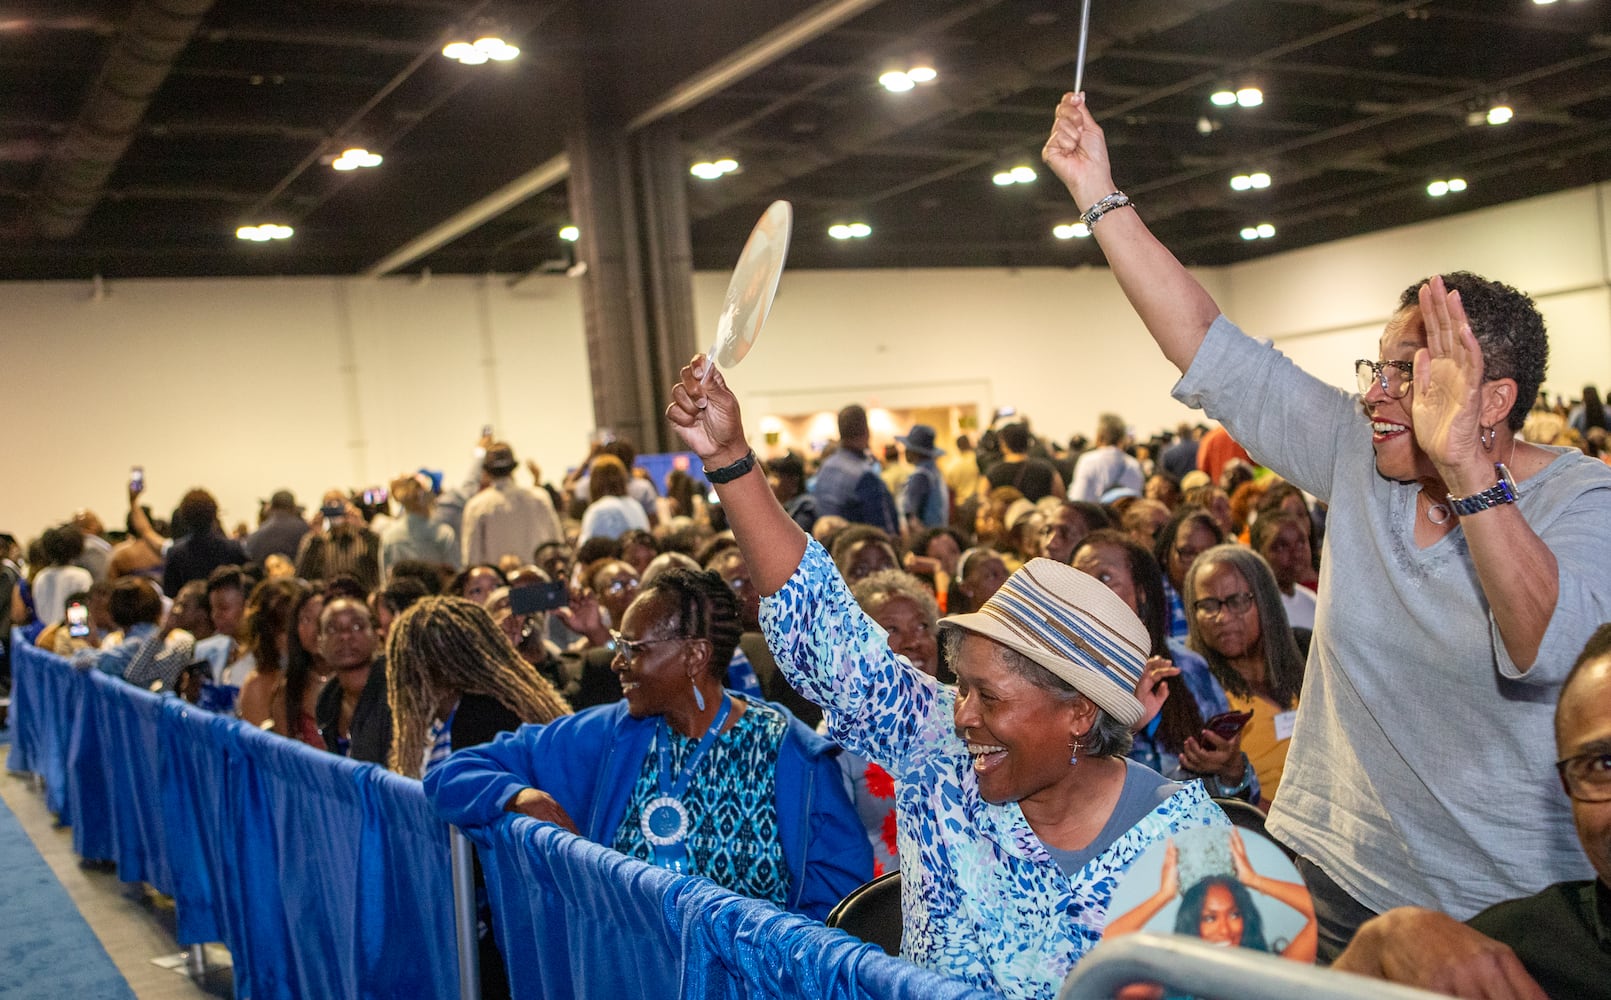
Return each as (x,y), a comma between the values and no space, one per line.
(1240,627)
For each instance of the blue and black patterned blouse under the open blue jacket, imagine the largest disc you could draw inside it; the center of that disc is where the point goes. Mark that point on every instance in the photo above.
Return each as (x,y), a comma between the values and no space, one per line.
(732,808)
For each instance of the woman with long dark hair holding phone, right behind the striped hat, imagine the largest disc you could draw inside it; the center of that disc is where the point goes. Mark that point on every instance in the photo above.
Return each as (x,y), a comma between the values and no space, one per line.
(1170,738)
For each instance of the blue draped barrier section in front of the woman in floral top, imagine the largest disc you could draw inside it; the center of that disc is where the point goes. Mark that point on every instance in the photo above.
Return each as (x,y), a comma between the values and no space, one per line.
(579,920)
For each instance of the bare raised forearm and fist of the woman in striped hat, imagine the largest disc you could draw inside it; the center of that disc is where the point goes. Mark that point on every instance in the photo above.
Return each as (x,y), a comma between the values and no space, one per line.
(706,418)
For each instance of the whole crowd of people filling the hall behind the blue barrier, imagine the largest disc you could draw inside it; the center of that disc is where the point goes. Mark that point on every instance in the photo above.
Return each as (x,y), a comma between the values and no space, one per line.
(1004,669)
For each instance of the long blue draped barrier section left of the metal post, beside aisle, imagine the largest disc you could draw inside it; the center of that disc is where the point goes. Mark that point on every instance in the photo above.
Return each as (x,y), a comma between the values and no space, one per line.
(323,877)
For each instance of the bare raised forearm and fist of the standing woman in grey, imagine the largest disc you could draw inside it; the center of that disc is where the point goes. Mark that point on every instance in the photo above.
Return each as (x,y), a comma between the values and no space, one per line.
(1172,304)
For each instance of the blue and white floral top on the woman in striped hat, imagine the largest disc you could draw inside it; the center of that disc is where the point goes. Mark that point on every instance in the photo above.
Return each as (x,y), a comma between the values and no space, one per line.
(982,898)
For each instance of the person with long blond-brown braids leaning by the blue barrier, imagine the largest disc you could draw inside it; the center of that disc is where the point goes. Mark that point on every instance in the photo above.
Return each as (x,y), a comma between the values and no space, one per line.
(455,682)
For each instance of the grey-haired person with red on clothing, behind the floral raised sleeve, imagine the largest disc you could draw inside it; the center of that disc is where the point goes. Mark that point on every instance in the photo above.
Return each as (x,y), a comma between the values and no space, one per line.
(911,619)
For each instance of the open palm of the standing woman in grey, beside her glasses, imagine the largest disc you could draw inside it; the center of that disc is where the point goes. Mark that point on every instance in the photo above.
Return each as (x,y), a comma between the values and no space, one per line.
(1447,400)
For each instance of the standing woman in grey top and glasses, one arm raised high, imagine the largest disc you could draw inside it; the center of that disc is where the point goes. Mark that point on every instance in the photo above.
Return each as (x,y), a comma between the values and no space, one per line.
(1464,568)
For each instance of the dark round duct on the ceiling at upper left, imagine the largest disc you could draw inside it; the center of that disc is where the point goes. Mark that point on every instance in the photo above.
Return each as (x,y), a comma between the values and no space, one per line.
(141,59)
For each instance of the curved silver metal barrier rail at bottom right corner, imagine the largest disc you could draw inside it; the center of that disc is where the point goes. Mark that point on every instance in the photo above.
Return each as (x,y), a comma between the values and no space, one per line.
(1215,973)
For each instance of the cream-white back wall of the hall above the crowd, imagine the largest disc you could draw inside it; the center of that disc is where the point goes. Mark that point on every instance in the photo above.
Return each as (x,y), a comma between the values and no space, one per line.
(252,386)
